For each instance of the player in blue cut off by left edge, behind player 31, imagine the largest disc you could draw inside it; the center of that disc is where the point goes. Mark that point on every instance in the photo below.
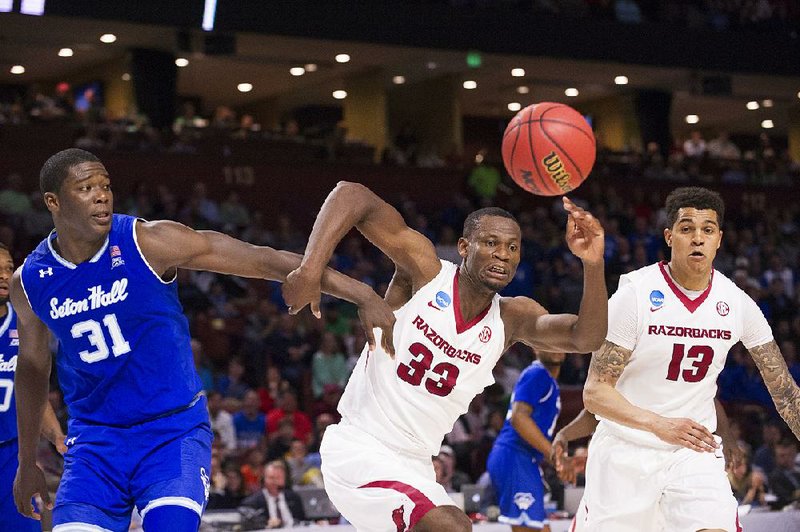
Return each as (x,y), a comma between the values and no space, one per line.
(10,519)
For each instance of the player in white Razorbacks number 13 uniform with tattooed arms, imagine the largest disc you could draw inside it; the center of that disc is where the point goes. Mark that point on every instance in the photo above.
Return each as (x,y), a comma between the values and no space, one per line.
(653,383)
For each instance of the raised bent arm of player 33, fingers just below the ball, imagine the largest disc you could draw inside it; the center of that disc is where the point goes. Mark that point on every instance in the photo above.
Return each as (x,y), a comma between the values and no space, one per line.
(585,332)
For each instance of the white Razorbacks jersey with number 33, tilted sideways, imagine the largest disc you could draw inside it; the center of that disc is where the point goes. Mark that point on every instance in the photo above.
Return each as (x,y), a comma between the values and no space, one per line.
(441,363)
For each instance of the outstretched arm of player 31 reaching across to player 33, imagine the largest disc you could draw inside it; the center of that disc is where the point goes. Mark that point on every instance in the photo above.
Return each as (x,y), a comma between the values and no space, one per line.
(168,245)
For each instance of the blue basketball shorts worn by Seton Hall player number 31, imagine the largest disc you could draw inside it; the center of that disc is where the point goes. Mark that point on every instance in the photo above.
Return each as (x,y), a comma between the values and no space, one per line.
(109,470)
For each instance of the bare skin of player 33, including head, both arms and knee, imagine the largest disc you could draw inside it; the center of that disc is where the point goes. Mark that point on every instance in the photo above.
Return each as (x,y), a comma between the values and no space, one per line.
(490,256)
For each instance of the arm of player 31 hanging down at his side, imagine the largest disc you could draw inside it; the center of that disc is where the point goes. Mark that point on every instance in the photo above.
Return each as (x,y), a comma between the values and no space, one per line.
(31,383)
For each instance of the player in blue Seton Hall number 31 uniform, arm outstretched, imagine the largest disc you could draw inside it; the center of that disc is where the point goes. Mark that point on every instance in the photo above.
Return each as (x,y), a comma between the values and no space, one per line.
(104,284)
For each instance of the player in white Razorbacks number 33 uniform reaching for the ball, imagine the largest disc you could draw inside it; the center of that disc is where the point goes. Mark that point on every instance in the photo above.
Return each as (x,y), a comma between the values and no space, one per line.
(451,328)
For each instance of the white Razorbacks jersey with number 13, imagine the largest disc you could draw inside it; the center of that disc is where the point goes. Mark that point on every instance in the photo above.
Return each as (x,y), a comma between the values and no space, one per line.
(679,344)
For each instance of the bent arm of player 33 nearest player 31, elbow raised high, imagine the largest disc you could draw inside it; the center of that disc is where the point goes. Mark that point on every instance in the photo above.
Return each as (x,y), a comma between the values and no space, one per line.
(354,205)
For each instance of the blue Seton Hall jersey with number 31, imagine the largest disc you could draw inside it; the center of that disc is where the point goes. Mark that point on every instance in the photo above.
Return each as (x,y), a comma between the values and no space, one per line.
(123,340)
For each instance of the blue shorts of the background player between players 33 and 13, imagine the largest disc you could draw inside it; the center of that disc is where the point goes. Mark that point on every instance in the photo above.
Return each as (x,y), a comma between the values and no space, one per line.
(518,482)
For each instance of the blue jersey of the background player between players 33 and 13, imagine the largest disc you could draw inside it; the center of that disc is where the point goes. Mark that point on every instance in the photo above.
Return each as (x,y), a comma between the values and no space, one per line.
(540,390)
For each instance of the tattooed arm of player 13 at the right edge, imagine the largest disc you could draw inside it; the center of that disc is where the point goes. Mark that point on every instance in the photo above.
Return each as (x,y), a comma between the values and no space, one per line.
(784,391)
